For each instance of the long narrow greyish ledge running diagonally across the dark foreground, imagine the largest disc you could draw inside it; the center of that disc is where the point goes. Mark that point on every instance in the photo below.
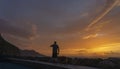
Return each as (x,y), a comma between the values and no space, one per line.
(66,66)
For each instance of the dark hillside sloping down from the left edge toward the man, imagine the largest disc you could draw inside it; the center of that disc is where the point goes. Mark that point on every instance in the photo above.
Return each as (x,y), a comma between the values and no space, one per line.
(9,49)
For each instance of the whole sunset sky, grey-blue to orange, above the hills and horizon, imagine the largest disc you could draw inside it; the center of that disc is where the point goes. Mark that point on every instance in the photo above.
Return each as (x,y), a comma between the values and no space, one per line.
(82,28)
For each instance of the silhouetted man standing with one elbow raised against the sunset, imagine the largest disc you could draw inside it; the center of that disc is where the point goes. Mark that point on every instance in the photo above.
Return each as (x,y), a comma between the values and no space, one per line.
(55,50)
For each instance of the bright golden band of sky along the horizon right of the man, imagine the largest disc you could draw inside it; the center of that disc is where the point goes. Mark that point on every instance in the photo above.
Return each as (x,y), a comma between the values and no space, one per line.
(100,51)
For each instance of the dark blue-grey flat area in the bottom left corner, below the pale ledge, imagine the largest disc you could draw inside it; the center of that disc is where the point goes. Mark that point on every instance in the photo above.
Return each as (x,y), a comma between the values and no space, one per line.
(5,65)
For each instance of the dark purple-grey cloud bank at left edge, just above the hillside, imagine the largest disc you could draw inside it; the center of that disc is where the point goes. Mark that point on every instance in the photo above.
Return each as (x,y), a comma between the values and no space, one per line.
(7,28)
